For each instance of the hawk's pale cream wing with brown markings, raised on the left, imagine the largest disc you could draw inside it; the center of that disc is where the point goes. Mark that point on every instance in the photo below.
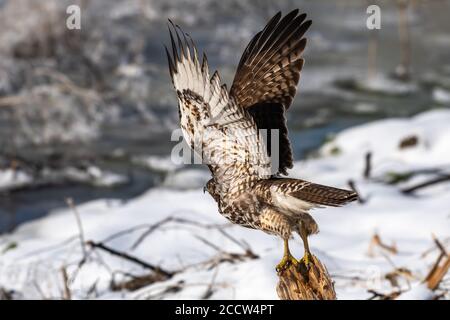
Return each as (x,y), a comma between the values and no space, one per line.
(213,124)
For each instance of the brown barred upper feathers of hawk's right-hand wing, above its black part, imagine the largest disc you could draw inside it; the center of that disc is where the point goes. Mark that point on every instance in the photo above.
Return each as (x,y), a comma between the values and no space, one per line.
(271,53)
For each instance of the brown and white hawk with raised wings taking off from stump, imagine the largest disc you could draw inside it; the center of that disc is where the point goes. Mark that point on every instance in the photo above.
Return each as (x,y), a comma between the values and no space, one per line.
(238,132)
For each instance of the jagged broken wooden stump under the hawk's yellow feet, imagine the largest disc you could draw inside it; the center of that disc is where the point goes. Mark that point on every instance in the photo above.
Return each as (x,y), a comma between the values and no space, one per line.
(297,283)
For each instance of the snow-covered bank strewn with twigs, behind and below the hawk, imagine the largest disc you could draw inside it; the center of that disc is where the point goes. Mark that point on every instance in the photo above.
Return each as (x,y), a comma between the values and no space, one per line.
(191,234)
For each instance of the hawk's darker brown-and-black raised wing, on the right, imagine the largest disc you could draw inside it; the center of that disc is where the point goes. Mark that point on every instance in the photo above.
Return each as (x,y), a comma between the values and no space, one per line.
(267,76)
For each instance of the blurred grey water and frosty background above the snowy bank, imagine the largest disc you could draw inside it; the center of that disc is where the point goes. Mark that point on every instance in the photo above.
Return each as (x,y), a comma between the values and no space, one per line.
(88,113)
